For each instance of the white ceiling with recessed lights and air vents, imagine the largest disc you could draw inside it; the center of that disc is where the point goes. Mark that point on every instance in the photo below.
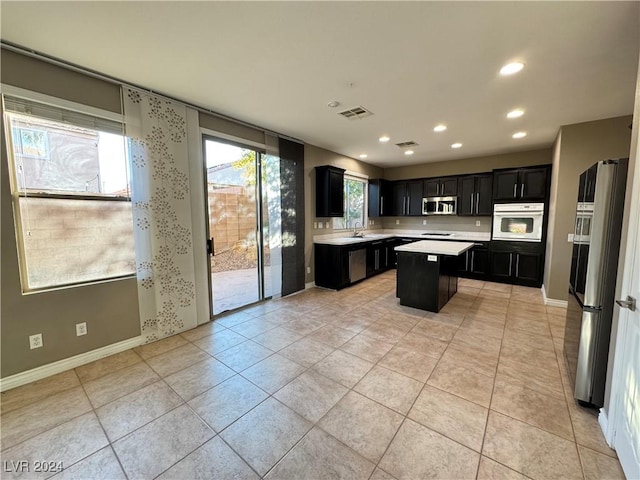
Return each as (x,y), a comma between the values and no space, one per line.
(413,64)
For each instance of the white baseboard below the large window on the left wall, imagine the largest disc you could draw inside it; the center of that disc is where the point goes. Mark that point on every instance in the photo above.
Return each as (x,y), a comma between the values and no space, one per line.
(60,366)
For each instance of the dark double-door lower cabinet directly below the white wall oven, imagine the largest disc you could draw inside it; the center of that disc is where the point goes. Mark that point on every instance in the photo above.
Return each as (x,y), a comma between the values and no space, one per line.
(520,265)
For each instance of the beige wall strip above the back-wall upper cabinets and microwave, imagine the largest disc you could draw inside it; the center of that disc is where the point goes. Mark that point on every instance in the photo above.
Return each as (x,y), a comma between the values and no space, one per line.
(470,165)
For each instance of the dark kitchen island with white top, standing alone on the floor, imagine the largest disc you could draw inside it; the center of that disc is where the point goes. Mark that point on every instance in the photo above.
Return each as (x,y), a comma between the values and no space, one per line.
(426,276)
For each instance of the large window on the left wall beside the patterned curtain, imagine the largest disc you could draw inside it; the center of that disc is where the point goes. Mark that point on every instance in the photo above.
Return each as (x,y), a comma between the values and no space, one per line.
(70,191)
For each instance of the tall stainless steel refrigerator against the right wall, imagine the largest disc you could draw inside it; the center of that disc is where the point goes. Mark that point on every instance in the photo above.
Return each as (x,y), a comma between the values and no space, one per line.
(592,280)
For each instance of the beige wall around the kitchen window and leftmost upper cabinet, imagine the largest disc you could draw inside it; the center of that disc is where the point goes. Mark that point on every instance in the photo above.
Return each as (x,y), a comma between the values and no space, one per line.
(313,157)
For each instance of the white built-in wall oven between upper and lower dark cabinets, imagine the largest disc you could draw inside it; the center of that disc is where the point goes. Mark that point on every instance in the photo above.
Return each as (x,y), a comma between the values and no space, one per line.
(520,222)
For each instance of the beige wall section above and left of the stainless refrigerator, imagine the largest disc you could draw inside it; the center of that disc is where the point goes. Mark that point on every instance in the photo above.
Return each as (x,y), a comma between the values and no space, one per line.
(581,146)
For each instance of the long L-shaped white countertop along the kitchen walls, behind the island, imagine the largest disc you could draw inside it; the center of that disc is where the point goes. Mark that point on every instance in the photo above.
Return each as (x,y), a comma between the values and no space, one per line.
(345,238)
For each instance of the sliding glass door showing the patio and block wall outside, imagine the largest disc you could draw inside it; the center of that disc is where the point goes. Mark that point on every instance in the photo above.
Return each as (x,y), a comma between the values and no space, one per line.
(238,225)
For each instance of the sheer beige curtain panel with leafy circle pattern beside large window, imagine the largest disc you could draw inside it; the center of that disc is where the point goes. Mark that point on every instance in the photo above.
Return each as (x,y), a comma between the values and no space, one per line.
(158,148)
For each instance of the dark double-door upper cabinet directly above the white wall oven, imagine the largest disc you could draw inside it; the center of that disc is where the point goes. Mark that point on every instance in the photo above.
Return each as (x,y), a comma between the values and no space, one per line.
(521,184)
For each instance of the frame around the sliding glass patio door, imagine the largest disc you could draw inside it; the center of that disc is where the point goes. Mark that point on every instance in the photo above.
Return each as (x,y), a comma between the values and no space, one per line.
(259,225)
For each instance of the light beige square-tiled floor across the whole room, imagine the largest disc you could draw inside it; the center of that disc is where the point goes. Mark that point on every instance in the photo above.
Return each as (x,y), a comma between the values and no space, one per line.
(323,385)
